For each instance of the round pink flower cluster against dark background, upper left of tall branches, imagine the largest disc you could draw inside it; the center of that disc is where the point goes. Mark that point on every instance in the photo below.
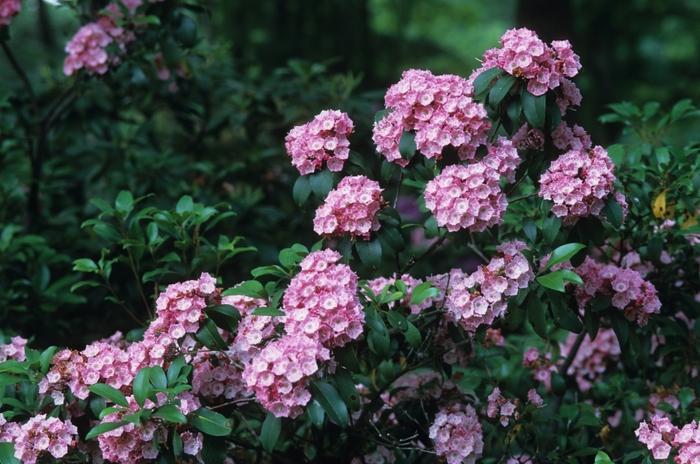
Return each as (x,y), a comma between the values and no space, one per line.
(322,140)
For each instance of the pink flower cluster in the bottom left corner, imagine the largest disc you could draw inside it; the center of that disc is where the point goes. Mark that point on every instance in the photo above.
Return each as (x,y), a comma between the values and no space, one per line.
(40,436)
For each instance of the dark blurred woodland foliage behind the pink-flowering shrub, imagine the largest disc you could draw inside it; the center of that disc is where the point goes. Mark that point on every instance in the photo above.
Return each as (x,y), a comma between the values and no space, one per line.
(241,74)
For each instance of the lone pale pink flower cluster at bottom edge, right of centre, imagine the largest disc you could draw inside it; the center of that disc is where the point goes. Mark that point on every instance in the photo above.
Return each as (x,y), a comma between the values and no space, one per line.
(457,434)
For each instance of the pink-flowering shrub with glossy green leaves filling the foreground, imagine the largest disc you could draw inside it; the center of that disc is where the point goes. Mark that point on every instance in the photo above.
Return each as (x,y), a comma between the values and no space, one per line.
(538,291)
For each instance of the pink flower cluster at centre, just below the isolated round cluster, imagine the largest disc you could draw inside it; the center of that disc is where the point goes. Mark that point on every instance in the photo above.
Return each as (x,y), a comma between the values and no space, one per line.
(350,209)
